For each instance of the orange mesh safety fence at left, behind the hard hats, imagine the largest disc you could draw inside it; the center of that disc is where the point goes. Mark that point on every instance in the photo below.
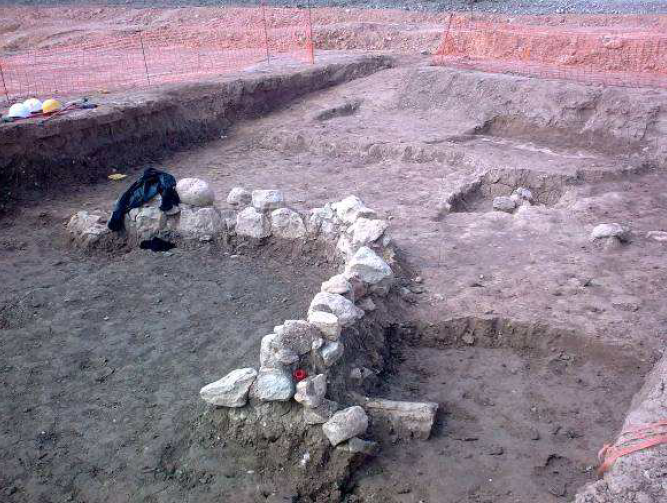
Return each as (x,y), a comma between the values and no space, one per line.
(160,56)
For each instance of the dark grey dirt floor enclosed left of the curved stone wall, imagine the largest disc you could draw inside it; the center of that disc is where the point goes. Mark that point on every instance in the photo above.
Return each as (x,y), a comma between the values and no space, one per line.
(103,358)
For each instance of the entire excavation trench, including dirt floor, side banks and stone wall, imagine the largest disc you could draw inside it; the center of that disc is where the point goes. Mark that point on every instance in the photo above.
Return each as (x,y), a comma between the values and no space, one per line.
(180,374)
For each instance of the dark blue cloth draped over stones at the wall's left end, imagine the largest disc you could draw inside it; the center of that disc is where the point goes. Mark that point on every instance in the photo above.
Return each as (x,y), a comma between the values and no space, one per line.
(151,183)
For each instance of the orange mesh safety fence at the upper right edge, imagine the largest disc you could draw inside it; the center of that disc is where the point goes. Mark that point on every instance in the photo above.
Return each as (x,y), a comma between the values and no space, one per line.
(619,56)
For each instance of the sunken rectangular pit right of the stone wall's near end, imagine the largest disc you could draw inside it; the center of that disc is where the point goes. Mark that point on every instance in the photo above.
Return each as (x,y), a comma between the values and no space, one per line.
(524,412)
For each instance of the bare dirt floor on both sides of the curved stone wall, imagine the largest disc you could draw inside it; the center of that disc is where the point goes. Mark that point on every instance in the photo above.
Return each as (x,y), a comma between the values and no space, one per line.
(520,423)
